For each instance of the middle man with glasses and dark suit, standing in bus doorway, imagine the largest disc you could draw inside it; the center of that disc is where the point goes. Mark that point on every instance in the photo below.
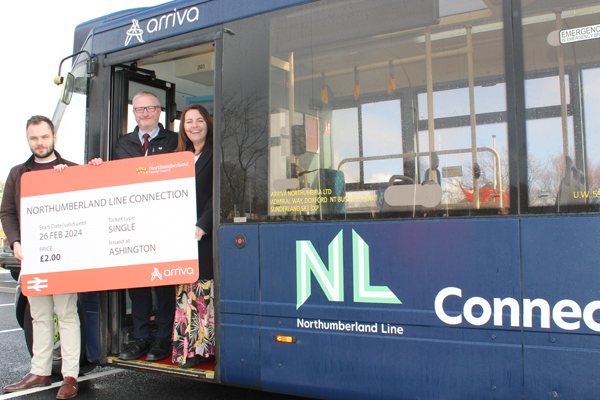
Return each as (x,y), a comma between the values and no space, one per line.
(149,138)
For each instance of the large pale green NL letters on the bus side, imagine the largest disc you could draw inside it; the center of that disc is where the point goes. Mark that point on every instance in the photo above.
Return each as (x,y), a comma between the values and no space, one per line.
(332,280)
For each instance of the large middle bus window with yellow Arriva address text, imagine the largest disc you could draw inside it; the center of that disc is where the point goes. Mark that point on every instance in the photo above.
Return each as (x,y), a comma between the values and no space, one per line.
(370,91)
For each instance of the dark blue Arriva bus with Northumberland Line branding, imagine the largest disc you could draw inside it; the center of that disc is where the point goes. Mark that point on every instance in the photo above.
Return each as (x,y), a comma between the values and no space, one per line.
(406,192)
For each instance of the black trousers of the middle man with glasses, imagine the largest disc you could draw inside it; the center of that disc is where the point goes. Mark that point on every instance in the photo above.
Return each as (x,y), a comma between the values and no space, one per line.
(141,311)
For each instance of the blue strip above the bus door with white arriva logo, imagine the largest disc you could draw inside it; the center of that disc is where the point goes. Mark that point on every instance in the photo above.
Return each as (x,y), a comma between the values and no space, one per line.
(130,28)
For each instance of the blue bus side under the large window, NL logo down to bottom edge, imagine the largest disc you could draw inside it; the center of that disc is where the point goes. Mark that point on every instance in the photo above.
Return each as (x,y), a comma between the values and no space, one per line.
(415,261)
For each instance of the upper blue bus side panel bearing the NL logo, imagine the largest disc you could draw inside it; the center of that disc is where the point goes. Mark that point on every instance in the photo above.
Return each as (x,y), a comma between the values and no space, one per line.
(414,260)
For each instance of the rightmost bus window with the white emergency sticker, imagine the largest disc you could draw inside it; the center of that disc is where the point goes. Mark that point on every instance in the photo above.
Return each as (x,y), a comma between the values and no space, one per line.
(561,100)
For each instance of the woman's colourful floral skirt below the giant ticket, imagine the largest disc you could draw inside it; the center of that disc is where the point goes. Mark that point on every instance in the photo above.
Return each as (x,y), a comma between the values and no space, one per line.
(194,326)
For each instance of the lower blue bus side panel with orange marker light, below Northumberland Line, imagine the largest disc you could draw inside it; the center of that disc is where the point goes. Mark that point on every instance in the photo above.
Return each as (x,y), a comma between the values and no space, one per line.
(433,363)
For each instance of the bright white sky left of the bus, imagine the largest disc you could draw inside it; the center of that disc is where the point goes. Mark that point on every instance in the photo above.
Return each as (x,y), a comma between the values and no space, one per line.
(36,38)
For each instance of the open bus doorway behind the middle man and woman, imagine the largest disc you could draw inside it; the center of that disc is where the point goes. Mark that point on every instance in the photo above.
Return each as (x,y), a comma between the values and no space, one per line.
(178,78)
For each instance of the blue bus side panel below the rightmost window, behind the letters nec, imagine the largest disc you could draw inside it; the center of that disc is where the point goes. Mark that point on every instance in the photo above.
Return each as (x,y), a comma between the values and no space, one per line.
(560,262)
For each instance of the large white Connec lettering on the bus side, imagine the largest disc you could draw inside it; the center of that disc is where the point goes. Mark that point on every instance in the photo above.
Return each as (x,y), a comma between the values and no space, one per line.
(561,310)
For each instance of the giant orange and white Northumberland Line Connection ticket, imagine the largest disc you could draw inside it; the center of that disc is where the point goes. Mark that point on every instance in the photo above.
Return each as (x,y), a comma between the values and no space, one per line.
(123,224)
